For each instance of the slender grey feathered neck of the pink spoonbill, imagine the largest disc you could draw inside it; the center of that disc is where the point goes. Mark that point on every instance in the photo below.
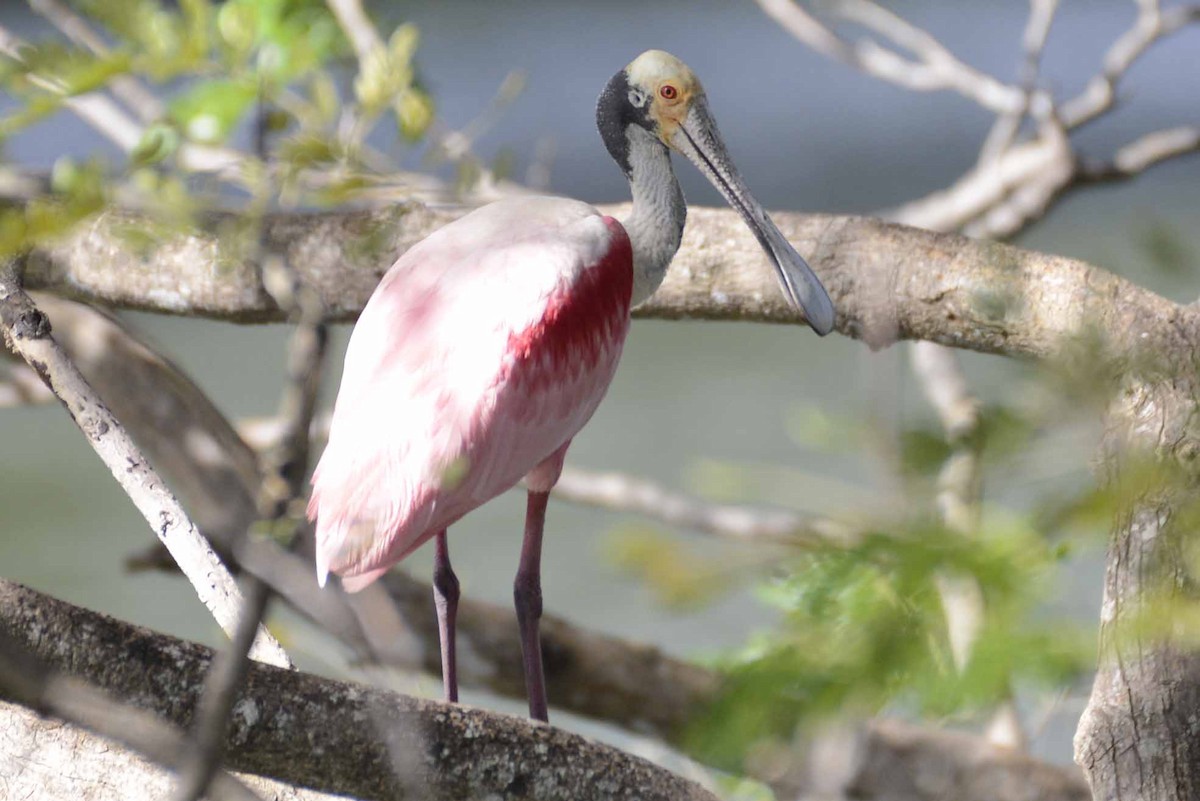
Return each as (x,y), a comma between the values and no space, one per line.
(656,225)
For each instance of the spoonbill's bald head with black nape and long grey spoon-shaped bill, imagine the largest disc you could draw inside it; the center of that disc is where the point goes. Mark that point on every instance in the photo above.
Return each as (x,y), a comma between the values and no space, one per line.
(658,104)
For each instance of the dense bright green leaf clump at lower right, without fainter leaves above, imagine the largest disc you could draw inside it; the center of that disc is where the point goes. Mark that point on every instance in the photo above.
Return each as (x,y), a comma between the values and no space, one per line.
(863,629)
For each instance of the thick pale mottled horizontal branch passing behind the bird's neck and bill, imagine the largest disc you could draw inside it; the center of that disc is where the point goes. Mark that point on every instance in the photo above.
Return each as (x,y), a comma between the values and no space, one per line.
(887,281)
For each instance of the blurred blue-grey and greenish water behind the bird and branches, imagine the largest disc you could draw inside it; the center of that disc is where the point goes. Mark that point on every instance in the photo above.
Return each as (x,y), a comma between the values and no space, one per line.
(727,412)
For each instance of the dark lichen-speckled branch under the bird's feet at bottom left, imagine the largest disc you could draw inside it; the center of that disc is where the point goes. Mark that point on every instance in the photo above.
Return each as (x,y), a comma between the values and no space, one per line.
(329,736)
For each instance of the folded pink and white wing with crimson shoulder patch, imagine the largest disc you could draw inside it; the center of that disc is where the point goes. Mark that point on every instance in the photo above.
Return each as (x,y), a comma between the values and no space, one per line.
(483,352)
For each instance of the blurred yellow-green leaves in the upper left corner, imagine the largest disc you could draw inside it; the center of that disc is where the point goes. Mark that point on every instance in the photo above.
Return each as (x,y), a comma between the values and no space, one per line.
(211,69)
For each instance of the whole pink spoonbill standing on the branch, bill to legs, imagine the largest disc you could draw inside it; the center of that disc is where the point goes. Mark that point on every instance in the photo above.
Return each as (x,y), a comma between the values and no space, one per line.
(488,347)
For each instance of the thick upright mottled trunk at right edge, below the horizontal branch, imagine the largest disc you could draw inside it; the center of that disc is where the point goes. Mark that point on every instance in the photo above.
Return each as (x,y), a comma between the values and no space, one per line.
(1139,737)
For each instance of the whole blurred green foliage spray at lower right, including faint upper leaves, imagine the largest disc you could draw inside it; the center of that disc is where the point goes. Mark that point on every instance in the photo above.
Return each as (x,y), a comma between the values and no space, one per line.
(859,625)
